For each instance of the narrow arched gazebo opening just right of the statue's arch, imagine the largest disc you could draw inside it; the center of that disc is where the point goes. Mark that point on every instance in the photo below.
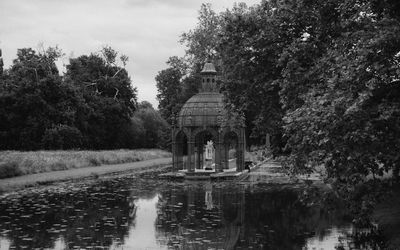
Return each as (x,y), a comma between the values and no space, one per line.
(231,150)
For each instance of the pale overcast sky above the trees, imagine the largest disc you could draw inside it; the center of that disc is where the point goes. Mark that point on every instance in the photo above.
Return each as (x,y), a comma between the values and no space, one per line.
(147,31)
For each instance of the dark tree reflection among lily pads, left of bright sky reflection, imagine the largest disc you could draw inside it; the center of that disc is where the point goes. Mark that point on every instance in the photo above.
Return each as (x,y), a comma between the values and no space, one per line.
(87,216)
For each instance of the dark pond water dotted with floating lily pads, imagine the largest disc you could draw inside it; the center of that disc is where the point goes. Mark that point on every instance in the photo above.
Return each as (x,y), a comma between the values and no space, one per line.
(137,213)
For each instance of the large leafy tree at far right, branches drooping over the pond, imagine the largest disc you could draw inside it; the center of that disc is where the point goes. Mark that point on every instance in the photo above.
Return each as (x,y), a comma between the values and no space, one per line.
(347,118)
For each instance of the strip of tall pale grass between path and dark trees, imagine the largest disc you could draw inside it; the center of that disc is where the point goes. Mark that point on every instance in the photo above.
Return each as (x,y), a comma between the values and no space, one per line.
(15,163)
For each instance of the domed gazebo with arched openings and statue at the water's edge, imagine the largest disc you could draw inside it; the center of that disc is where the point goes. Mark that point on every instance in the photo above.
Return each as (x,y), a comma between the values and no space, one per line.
(204,122)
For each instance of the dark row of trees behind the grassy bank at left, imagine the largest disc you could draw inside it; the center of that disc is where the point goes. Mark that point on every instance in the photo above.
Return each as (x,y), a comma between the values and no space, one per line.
(92,106)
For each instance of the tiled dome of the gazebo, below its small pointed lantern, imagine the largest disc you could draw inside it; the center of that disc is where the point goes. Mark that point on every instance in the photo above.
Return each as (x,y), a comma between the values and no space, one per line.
(202,109)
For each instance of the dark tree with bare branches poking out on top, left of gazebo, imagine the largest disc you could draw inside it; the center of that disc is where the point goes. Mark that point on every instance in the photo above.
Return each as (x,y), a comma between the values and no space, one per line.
(110,98)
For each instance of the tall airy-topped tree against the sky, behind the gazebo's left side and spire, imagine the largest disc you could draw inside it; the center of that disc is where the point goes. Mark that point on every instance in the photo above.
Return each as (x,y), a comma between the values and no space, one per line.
(181,80)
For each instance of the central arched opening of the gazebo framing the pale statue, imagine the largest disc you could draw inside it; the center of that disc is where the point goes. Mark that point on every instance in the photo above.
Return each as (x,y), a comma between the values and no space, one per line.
(205,151)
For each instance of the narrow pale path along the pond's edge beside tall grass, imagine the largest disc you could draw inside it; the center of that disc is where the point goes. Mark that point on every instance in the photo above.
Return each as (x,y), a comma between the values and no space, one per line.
(29,180)
